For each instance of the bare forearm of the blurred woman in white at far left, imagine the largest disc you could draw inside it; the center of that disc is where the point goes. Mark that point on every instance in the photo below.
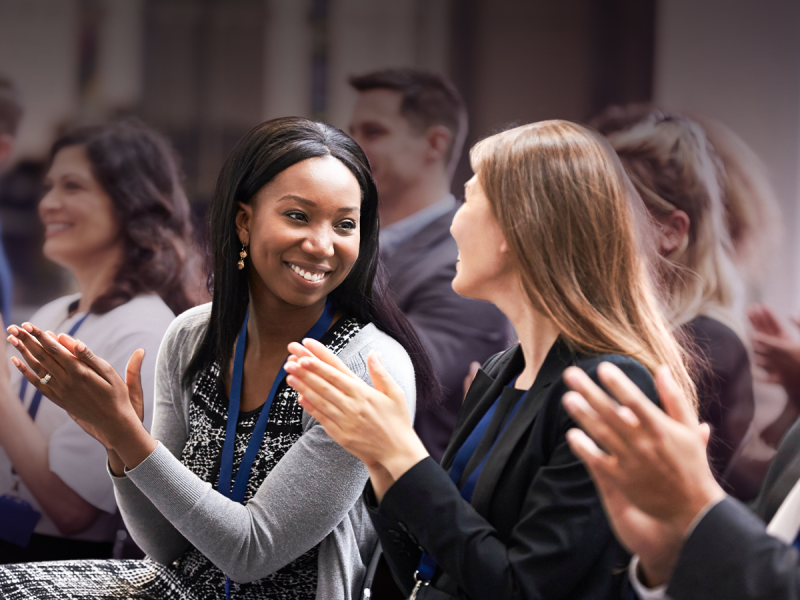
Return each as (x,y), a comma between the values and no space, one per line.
(27,449)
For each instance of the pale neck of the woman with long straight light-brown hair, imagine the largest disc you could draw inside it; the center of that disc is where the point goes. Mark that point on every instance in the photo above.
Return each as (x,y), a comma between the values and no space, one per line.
(537,333)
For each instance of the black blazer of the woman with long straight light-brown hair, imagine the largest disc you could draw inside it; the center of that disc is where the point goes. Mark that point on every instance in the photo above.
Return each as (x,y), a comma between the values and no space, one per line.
(535,527)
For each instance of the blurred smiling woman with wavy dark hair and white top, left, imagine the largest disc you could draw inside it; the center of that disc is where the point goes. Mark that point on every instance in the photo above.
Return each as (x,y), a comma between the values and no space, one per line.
(116,217)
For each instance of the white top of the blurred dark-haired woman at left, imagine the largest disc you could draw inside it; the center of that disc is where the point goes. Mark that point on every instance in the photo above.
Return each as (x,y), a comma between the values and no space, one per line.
(76,457)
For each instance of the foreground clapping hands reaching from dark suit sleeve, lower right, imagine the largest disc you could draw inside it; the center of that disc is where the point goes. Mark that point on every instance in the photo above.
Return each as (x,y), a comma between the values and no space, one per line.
(652,474)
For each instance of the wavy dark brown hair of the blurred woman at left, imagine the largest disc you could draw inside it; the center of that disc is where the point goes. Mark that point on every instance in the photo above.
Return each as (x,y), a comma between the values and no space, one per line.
(138,169)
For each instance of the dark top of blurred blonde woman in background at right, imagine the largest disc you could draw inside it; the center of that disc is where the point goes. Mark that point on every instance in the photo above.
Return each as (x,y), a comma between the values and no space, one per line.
(725,392)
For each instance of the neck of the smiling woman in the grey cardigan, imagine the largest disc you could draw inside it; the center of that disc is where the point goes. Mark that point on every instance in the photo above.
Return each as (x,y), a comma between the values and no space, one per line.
(270,328)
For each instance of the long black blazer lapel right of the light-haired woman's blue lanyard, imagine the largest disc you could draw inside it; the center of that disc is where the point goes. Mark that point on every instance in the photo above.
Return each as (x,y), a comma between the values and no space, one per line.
(558,359)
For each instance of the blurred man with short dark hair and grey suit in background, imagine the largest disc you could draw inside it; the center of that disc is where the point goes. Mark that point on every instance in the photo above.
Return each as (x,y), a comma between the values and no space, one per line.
(412,125)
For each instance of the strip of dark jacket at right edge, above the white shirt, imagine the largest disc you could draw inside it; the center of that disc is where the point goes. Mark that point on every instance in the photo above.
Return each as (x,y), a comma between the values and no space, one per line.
(783,473)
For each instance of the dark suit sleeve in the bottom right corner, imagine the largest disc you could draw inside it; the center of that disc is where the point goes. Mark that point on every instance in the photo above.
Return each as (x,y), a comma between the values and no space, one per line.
(730,556)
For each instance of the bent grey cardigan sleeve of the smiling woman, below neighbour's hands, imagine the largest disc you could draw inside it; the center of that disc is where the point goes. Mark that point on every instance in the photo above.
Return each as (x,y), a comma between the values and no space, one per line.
(306,495)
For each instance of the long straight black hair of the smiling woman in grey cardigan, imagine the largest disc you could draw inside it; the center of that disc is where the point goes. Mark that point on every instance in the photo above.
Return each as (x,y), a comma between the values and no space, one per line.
(263,153)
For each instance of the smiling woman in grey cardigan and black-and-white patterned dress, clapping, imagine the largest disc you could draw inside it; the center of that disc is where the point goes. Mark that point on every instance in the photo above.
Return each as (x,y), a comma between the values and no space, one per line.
(239,492)
